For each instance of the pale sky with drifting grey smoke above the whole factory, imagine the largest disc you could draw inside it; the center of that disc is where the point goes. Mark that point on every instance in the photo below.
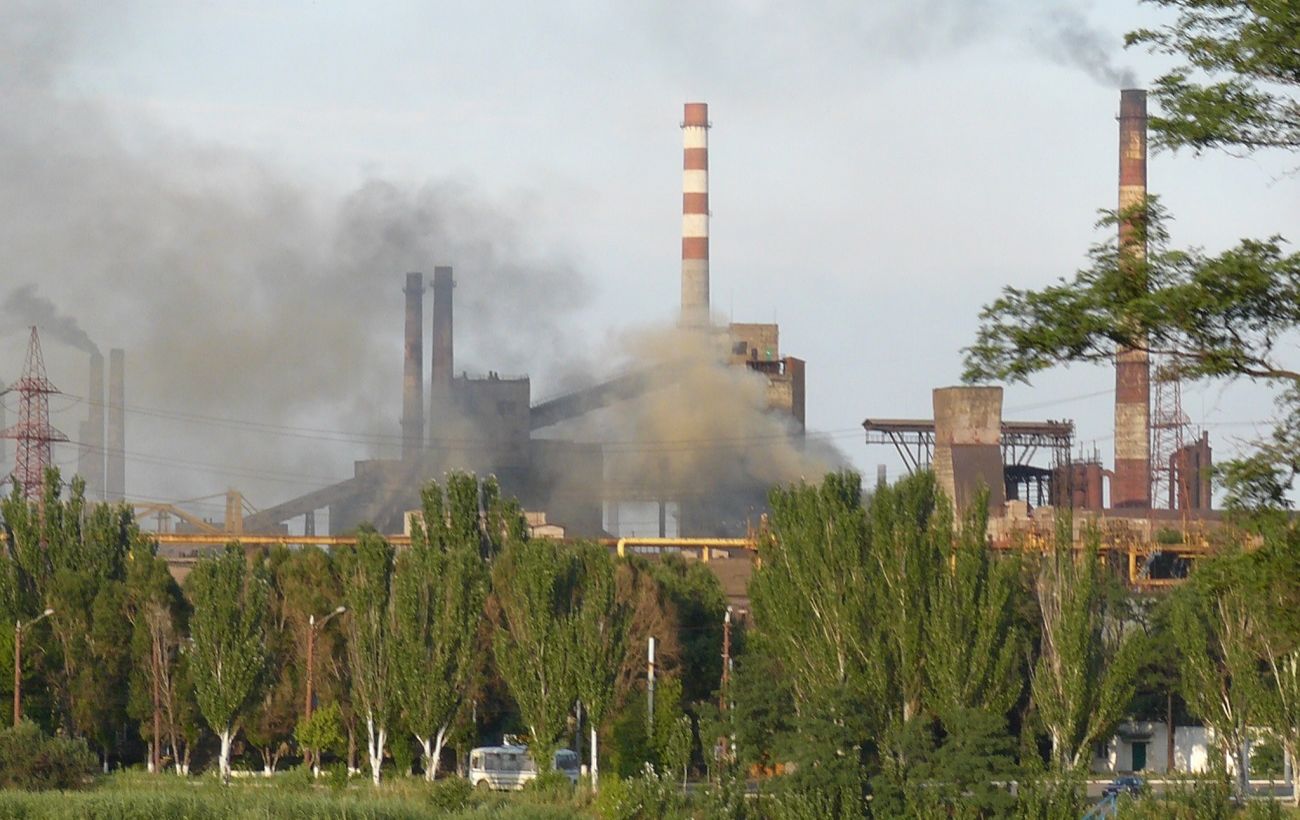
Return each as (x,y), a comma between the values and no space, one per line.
(232,192)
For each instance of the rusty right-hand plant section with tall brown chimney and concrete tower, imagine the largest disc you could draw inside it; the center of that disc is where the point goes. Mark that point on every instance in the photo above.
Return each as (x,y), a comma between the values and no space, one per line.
(1159,505)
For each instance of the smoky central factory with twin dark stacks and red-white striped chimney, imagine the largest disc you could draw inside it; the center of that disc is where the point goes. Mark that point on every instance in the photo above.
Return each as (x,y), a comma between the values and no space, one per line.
(489,424)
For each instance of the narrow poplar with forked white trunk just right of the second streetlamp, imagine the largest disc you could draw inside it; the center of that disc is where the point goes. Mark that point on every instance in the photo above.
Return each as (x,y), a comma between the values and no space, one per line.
(367,578)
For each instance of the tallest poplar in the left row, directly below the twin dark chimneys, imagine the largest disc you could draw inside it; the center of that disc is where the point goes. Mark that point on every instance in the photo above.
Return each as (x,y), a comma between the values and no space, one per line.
(439,591)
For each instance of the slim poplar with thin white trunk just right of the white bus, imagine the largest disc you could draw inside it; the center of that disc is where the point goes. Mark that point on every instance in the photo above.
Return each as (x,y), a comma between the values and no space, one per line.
(600,644)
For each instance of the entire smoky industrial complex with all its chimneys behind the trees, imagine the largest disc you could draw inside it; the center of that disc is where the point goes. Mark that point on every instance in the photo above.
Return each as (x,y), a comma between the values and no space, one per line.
(569,467)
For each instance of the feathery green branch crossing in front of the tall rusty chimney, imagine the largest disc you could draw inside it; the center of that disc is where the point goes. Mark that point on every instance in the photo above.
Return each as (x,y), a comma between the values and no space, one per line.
(1224,316)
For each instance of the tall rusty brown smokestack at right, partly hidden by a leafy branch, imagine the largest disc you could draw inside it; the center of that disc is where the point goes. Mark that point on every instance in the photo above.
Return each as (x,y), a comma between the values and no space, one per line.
(1132,485)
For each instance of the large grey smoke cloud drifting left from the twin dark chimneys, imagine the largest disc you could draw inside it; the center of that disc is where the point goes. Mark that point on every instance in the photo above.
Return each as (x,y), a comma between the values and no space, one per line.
(240,292)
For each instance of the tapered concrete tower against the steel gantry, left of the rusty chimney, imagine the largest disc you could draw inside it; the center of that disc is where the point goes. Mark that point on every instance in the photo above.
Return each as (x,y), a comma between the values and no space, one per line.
(969,445)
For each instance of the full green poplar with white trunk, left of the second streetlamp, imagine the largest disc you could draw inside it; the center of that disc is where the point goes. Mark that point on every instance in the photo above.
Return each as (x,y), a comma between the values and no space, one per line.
(229,632)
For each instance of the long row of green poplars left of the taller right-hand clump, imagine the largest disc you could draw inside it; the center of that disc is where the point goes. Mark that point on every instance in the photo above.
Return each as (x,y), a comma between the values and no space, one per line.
(471,634)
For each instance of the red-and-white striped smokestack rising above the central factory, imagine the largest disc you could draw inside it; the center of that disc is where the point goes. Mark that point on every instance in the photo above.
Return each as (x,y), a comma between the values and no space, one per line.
(695,216)
